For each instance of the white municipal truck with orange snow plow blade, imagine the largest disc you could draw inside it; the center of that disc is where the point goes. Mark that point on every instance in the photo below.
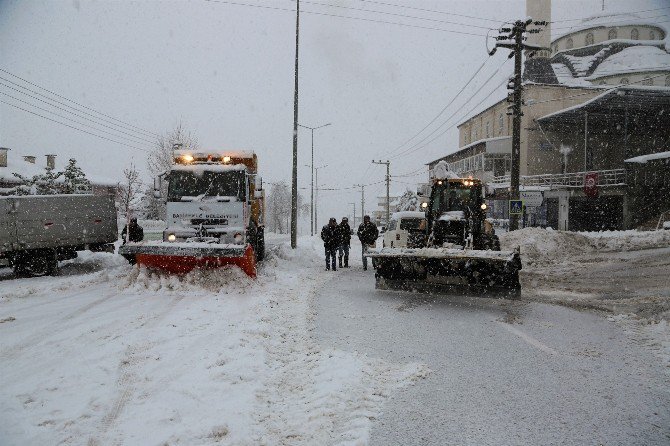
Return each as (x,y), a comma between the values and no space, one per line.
(215,215)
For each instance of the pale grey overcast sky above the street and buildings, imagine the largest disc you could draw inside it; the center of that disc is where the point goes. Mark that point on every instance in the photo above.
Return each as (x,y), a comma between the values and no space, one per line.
(226,71)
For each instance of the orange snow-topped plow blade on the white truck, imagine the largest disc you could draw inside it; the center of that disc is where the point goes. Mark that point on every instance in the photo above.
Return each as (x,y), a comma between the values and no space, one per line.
(181,258)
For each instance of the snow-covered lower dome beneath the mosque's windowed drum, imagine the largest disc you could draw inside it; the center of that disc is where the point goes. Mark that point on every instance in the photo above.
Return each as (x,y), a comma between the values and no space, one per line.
(633,60)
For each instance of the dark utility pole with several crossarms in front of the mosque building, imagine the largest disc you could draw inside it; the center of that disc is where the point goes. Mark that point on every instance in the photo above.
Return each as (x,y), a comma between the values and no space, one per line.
(514,41)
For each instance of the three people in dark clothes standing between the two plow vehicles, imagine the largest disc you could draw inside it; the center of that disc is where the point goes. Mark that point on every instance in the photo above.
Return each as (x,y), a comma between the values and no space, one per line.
(337,241)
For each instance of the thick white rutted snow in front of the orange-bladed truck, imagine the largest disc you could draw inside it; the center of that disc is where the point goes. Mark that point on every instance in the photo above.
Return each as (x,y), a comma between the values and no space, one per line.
(106,354)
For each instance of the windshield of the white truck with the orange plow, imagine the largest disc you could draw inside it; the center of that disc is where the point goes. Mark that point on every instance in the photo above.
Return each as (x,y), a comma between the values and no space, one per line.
(206,184)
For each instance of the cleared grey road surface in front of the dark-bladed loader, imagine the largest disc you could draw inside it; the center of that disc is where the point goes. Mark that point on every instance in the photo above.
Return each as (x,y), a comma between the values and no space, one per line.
(503,372)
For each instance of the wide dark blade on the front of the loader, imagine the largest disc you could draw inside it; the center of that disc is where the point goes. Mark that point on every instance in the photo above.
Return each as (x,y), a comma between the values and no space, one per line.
(444,268)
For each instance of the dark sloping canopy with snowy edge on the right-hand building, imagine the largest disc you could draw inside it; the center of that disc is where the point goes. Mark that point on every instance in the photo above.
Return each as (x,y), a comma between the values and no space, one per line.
(614,103)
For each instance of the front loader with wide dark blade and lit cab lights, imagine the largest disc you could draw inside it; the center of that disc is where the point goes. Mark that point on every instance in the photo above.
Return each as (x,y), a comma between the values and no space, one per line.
(458,245)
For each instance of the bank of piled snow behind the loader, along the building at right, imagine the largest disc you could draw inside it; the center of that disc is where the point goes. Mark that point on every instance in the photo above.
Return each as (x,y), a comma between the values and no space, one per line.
(547,246)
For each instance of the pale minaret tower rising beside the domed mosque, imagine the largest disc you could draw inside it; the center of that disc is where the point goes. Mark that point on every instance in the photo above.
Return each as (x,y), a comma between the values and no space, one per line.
(538,67)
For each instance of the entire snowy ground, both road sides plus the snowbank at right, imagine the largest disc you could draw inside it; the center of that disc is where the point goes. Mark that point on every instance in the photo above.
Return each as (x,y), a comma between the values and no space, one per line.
(107,354)
